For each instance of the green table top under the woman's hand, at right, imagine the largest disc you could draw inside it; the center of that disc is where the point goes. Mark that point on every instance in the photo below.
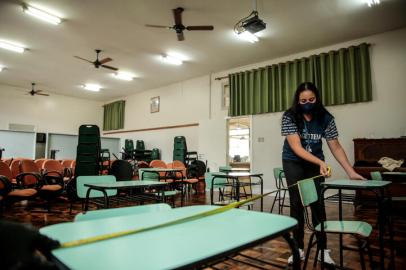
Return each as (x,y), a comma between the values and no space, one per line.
(355,184)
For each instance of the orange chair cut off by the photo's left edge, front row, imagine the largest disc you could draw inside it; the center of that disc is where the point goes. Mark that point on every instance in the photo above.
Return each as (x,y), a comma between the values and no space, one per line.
(15,193)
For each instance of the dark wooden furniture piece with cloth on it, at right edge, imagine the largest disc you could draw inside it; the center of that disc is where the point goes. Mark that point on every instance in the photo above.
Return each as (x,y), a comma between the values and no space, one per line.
(367,152)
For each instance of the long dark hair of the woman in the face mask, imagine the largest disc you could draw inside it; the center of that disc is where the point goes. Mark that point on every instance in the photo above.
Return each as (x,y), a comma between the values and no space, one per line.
(319,111)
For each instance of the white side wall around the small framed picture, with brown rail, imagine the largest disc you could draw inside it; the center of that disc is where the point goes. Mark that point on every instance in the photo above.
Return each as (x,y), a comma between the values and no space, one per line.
(181,103)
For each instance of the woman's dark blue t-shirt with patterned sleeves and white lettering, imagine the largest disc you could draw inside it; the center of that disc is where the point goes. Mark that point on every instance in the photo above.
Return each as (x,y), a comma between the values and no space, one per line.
(310,137)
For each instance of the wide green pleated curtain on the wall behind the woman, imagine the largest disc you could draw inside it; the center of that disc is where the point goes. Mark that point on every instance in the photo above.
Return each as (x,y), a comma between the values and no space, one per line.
(342,76)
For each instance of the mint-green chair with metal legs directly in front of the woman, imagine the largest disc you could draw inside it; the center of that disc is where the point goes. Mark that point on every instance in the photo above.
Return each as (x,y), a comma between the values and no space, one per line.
(359,229)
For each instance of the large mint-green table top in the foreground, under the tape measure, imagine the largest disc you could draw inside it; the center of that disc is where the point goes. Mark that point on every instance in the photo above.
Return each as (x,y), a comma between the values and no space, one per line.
(165,248)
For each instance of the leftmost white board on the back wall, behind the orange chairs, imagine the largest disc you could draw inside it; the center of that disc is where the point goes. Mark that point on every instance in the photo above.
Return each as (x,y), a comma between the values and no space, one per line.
(17,144)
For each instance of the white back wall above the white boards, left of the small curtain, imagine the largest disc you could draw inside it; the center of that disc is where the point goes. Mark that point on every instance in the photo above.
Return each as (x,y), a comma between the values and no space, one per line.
(56,113)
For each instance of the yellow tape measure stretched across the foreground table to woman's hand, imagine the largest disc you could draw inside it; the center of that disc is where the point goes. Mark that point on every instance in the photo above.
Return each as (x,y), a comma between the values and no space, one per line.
(219,210)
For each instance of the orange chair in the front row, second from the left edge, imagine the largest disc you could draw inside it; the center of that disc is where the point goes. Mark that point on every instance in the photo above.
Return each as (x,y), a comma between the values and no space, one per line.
(49,187)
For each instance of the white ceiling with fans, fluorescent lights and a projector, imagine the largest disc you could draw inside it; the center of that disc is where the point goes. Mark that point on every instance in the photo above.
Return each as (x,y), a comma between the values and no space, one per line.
(118,28)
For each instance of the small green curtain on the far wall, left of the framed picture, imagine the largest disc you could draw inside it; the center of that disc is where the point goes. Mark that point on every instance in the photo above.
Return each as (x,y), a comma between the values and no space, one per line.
(114,115)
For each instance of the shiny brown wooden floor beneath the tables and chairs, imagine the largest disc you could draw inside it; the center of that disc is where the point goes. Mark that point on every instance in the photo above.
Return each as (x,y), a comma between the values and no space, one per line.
(275,251)
